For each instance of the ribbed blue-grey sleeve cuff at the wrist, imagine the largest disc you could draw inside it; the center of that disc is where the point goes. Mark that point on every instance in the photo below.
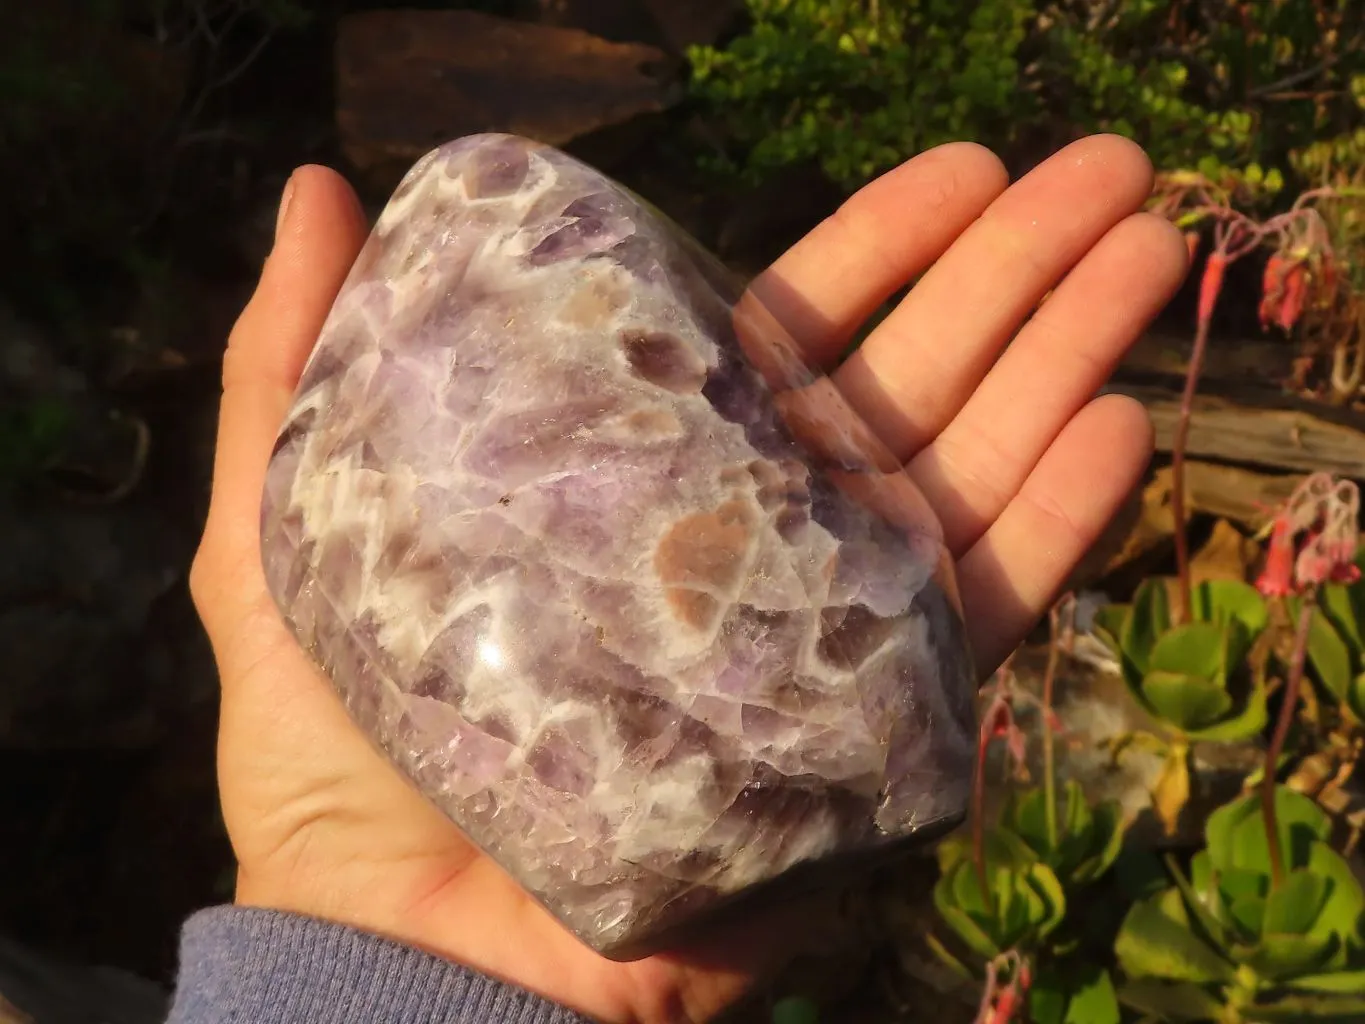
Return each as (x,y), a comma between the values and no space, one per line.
(267,967)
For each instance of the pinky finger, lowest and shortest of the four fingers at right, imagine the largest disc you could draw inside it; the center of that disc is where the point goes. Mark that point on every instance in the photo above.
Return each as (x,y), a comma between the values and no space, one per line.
(1015,571)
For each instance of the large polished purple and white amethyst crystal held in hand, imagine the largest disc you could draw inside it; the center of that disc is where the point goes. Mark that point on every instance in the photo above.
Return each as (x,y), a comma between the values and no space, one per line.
(616,580)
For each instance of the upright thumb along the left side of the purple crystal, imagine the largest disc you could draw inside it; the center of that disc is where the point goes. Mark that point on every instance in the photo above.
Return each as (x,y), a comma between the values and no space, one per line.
(320,233)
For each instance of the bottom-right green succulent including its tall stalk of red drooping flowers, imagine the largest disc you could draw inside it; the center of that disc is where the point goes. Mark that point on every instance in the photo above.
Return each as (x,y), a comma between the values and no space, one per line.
(1270,925)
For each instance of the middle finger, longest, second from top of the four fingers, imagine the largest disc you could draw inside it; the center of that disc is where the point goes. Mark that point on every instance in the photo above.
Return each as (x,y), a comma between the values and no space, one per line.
(922,364)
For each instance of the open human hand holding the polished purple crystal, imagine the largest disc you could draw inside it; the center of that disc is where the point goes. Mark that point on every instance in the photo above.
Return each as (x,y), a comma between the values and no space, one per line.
(1022,466)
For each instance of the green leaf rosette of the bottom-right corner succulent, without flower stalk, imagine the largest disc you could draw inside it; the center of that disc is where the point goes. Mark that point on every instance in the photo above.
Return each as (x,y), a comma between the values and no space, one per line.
(1232,943)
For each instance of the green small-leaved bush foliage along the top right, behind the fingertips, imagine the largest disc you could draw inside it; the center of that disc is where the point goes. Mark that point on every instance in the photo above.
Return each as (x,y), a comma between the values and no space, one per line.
(1232,88)
